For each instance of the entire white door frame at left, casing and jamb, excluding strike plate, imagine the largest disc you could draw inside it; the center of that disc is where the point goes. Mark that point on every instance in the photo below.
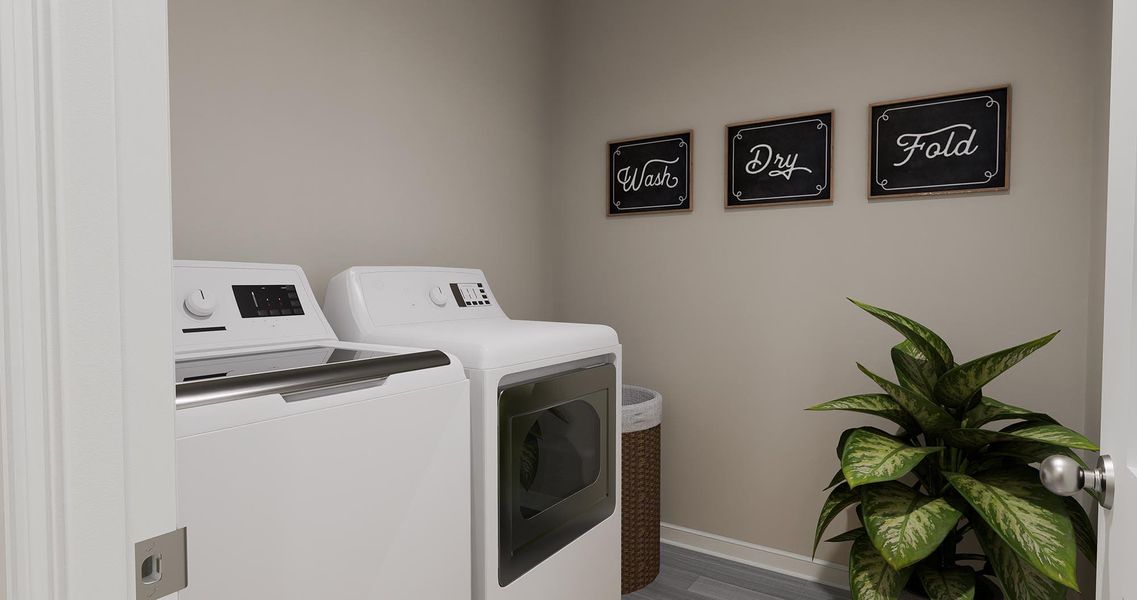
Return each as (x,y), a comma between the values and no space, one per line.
(87,409)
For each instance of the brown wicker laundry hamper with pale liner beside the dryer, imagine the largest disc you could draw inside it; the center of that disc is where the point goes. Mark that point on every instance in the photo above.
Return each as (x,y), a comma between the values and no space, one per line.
(642,412)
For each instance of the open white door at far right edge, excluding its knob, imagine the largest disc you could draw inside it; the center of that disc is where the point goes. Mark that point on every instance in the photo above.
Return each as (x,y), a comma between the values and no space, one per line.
(1118,528)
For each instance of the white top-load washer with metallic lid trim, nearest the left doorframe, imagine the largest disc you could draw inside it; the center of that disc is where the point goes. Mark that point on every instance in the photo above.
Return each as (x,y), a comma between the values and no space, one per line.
(310,468)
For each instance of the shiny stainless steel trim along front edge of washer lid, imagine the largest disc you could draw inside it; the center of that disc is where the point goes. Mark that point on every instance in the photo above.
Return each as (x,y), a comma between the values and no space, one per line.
(295,381)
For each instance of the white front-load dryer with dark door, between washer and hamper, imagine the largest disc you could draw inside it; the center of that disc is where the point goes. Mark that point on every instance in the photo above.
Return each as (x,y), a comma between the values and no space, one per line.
(546,427)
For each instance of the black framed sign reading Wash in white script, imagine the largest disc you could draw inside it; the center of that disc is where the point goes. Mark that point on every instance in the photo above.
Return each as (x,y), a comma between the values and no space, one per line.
(650,174)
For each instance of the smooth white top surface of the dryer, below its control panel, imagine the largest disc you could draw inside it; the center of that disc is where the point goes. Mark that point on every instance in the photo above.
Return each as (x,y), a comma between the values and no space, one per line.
(500,343)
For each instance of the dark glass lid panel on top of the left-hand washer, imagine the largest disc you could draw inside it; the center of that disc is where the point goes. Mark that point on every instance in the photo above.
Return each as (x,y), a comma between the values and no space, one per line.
(210,369)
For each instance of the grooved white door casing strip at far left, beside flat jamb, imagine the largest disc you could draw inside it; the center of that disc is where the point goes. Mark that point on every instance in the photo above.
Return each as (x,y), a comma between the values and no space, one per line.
(30,382)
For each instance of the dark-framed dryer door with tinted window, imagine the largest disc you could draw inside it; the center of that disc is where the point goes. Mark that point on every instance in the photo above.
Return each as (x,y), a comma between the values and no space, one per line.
(557,464)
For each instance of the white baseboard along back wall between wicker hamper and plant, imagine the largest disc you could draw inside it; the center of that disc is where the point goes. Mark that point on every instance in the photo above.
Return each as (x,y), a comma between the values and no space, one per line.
(758,556)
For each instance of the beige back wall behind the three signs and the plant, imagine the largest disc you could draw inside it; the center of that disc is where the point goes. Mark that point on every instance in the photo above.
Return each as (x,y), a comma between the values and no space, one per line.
(740,319)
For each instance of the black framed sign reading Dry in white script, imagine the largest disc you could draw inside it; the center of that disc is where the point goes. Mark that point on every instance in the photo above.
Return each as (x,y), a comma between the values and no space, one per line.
(787,160)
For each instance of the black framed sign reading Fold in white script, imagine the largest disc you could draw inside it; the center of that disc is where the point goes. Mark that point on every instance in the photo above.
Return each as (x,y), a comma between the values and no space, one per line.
(949,144)
